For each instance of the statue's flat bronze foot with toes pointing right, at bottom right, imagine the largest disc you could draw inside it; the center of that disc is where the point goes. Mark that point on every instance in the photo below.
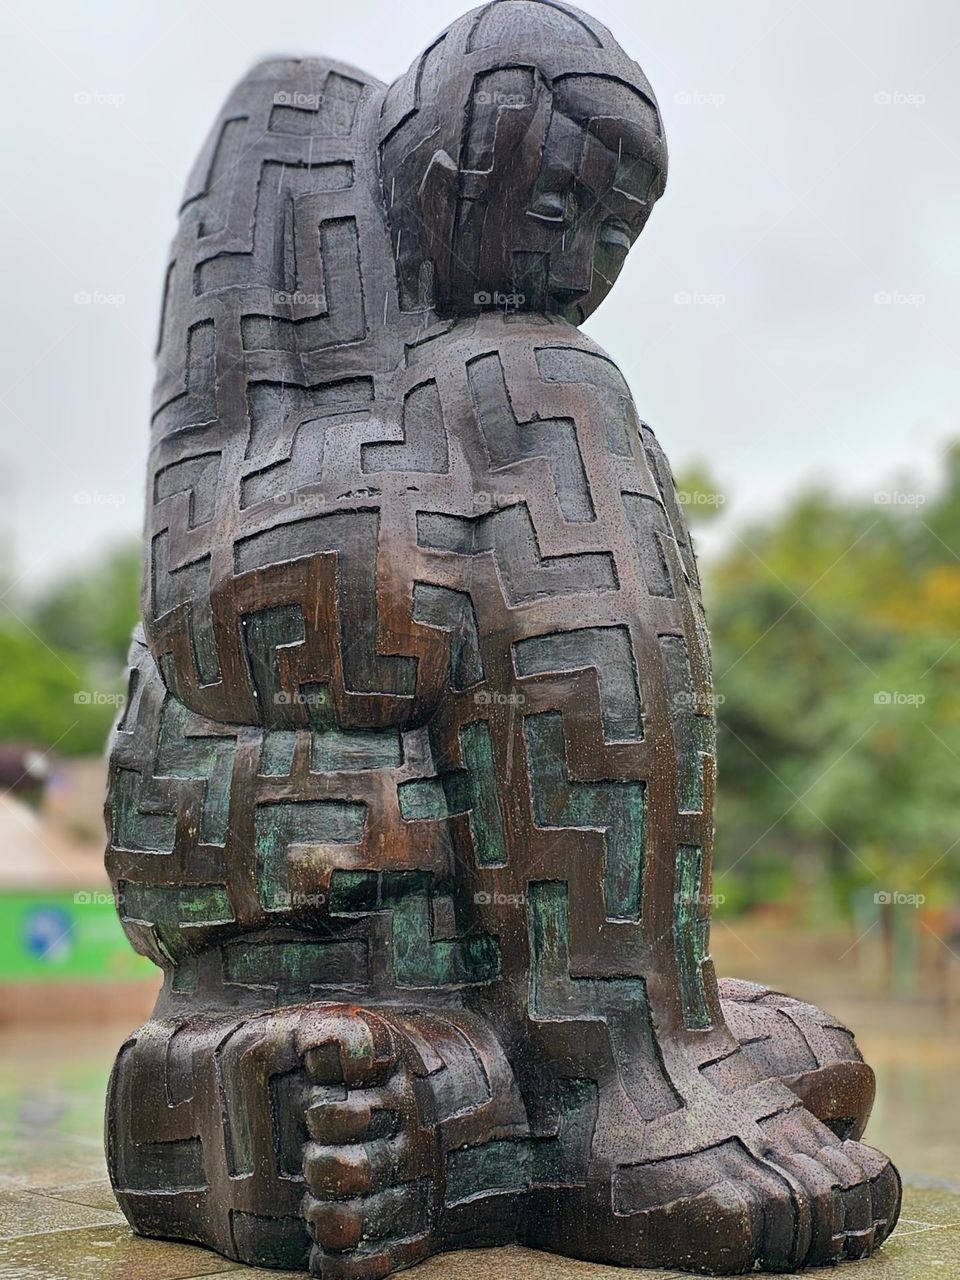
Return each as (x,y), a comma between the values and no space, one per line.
(756,1183)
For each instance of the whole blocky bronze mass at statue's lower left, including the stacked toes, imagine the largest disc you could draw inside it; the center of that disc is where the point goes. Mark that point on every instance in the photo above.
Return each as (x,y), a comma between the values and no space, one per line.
(314,1137)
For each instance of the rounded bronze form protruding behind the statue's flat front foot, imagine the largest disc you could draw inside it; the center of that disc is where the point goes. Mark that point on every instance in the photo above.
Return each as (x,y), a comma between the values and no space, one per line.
(807,1049)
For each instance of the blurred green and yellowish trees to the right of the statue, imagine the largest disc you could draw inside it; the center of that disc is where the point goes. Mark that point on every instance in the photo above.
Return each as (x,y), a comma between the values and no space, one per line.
(838,659)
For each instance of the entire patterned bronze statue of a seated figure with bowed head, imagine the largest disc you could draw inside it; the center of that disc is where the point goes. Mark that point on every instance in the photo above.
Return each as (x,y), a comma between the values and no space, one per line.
(413,796)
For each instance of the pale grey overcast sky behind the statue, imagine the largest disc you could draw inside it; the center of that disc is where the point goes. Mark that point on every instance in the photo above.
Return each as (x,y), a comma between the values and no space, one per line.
(789,314)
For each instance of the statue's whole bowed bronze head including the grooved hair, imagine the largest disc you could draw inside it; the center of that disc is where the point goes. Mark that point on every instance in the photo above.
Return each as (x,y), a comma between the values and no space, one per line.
(522,157)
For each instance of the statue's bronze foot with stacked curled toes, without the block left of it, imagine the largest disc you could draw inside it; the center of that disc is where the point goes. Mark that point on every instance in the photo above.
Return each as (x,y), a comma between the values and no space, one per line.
(412,1119)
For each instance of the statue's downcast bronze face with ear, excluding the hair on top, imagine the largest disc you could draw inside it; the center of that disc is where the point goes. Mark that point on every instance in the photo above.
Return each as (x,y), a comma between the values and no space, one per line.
(547,225)
